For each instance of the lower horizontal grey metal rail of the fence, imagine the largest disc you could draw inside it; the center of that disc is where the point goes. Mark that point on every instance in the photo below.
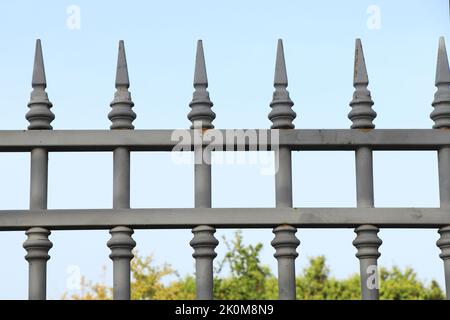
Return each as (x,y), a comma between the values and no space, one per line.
(83,219)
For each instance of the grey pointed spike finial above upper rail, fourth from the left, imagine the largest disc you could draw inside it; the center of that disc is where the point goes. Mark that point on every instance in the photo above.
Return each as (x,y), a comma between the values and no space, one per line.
(282,115)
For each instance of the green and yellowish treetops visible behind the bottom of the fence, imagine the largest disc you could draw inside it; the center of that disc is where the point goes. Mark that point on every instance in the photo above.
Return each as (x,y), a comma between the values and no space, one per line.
(247,278)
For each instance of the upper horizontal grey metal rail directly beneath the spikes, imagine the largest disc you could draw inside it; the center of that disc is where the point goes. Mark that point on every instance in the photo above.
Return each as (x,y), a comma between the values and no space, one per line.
(166,140)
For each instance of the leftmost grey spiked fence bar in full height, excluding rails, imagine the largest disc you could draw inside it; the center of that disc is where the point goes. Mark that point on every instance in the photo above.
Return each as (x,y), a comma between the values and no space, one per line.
(37,243)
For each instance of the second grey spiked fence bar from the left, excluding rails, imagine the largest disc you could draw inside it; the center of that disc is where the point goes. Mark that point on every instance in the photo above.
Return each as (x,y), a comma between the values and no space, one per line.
(121,242)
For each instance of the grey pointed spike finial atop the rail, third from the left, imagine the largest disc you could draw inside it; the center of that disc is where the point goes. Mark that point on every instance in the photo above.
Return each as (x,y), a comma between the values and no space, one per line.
(201,114)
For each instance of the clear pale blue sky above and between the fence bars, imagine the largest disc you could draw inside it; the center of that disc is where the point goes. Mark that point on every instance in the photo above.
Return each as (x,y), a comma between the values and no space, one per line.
(240,42)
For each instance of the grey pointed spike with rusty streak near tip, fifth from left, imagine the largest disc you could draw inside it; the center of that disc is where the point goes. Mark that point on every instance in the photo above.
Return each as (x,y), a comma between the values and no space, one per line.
(362,113)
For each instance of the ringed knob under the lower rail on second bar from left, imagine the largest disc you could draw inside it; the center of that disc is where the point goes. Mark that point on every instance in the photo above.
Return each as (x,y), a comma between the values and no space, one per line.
(121,243)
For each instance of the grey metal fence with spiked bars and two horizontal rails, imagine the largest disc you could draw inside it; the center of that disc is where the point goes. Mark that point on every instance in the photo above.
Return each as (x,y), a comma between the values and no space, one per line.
(362,138)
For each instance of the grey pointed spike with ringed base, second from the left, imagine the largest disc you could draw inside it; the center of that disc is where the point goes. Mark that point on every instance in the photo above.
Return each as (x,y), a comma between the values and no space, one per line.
(122,115)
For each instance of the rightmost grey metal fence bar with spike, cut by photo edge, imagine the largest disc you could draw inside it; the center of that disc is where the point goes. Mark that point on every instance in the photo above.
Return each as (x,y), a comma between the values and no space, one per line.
(441,118)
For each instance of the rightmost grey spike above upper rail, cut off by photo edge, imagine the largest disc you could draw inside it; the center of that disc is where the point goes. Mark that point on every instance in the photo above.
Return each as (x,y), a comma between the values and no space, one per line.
(441,102)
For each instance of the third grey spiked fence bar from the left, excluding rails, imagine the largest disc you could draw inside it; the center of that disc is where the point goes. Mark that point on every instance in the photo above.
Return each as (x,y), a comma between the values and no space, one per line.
(203,241)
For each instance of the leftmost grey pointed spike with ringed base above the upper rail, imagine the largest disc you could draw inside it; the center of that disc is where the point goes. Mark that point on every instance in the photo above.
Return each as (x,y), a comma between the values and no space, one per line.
(39,116)
